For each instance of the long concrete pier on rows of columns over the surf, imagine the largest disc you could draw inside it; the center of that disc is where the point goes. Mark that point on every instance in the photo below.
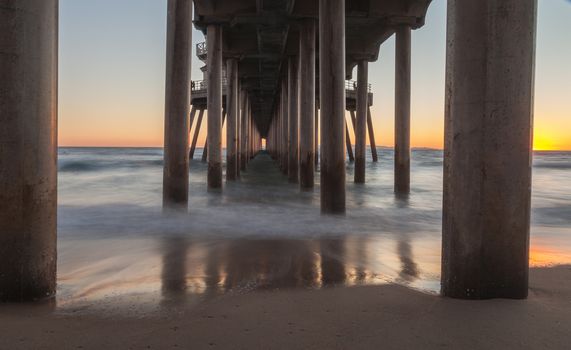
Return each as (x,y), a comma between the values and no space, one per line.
(276,72)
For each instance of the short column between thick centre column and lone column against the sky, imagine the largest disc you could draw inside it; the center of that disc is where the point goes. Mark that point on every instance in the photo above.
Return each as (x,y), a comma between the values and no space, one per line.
(361,121)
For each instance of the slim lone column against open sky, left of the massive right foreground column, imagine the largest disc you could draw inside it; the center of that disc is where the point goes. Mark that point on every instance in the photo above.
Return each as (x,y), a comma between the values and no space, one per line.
(402,110)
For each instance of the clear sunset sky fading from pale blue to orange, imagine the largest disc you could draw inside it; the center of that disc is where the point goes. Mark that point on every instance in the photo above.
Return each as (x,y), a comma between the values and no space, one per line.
(112,76)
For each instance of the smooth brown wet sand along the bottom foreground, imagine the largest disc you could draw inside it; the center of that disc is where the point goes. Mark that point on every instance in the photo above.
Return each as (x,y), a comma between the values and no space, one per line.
(367,317)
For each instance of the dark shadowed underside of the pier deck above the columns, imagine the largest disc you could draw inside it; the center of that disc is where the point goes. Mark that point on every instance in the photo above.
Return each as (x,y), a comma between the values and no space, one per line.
(263,34)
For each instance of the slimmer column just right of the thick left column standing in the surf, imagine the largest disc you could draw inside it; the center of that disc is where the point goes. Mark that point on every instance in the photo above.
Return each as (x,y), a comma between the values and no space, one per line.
(214,102)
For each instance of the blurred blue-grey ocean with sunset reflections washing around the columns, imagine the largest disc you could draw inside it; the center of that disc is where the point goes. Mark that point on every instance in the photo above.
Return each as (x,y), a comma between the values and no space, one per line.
(115,244)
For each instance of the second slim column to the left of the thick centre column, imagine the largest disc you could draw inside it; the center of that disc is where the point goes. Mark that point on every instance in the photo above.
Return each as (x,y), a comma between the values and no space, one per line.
(293,112)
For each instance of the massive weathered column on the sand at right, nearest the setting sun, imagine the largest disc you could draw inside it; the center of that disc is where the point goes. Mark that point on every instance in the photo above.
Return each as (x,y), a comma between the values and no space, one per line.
(488,148)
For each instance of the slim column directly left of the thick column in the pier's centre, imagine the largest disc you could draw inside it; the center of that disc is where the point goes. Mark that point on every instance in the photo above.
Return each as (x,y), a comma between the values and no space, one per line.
(307,120)
